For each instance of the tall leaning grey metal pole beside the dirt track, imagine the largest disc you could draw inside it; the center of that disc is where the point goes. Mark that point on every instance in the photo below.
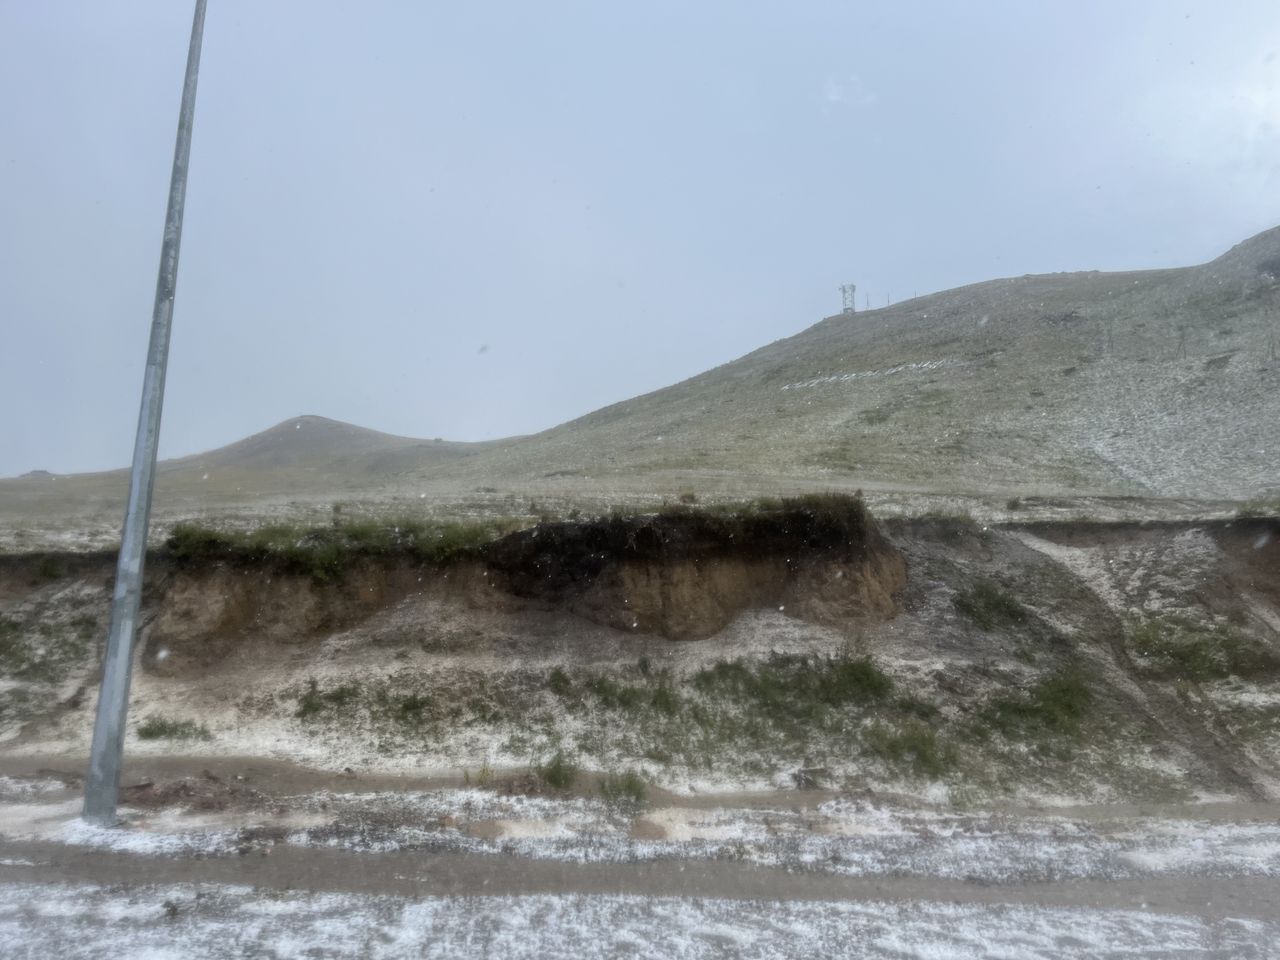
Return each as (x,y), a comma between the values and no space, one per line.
(103,785)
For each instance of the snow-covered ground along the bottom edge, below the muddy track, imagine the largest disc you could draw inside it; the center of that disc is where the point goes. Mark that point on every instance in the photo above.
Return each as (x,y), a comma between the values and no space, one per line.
(212,921)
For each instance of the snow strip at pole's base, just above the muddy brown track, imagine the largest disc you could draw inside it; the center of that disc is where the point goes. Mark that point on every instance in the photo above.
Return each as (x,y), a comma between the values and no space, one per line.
(845,838)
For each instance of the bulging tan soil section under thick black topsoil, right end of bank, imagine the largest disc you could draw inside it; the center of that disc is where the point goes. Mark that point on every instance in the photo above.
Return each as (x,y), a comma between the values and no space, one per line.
(685,575)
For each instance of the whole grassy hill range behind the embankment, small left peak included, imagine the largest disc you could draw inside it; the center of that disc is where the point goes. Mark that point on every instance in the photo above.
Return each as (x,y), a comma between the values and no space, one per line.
(1160,383)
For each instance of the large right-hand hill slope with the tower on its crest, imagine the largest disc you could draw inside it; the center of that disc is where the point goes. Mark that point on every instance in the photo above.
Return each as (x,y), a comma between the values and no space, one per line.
(1155,383)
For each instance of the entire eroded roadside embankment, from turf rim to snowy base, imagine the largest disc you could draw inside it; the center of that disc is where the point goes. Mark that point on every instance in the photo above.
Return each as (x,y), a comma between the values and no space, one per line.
(1081,660)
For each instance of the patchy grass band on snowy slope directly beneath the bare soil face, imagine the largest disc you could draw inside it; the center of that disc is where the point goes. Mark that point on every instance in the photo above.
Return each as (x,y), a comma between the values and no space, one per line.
(753,717)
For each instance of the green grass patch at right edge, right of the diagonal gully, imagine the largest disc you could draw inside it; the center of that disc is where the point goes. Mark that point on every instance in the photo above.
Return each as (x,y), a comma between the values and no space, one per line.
(1183,650)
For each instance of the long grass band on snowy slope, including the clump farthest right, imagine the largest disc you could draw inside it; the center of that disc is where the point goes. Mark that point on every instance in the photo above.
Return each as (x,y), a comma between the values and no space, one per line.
(831,720)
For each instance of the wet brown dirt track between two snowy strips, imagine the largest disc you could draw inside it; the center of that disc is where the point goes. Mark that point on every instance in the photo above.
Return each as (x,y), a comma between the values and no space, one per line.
(413,875)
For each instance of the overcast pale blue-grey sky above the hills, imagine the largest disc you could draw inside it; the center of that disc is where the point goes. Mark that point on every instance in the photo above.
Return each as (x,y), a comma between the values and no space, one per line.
(472,221)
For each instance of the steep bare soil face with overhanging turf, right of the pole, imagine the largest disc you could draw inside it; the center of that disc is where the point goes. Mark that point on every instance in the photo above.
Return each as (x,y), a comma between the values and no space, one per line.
(678,575)
